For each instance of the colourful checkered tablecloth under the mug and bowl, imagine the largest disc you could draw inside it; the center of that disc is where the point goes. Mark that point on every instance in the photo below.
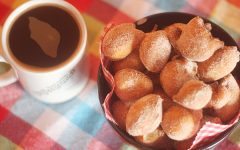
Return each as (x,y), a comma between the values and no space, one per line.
(79,124)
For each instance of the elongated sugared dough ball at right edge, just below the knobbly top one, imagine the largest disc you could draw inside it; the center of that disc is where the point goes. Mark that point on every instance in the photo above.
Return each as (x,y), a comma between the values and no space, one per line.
(219,65)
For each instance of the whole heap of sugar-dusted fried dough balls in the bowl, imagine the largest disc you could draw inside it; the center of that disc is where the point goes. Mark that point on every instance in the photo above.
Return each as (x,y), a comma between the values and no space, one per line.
(194,69)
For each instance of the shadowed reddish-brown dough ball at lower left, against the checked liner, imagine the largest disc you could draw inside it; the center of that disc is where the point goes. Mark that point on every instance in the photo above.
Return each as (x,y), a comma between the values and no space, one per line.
(120,110)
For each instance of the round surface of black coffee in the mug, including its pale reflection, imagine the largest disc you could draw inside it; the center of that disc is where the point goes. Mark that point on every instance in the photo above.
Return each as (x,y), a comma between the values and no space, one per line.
(44,37)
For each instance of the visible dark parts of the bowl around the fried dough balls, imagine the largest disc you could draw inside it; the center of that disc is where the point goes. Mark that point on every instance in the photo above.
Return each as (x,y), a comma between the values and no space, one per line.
(163,20)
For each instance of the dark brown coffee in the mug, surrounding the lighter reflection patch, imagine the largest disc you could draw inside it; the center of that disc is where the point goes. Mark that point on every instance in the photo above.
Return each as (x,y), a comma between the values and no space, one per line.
(28,51)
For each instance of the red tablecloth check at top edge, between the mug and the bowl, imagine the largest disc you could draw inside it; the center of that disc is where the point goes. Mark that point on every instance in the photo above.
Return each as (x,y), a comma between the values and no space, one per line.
(107,13)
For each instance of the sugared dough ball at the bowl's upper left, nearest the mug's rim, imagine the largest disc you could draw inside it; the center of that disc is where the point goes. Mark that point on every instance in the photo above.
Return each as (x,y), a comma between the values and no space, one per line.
(121,40)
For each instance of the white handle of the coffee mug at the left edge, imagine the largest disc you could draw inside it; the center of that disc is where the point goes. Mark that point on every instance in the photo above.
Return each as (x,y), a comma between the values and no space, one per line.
(8,77)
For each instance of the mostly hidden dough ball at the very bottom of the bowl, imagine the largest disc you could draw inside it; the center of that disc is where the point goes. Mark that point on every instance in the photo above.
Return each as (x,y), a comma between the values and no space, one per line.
(156,139)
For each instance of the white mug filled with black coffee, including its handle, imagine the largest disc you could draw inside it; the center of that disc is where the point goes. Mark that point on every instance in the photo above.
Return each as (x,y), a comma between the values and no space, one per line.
(45,42)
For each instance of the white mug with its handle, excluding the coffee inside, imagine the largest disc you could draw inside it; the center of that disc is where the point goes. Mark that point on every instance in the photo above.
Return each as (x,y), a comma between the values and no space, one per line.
(55,84)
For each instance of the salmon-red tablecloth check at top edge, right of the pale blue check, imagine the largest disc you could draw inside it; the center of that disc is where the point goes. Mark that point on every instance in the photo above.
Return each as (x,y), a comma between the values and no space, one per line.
(206,6)
